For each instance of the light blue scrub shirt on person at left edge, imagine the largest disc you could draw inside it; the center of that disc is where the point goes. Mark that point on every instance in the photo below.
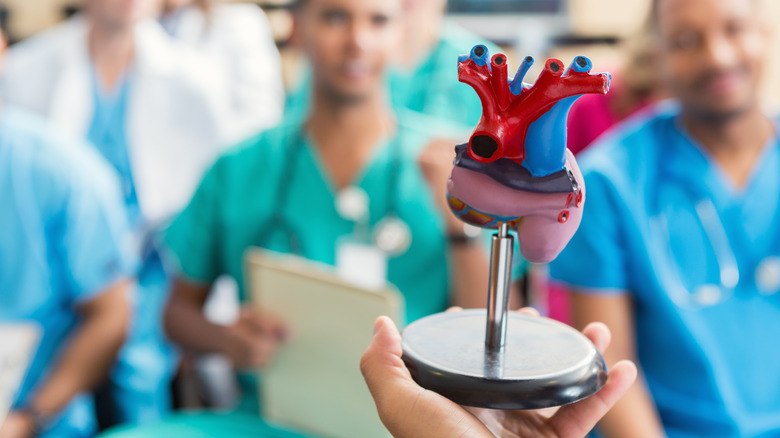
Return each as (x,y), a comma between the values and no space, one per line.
(63,240)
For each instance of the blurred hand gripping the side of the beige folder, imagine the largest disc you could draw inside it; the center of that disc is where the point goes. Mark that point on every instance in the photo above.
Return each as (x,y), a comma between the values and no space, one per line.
(254,338)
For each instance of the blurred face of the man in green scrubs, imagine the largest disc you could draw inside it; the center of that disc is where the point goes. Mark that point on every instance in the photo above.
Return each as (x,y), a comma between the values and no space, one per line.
(349,43)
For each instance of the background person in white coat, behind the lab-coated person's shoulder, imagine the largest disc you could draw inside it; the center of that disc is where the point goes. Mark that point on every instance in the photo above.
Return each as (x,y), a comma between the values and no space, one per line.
(238,39)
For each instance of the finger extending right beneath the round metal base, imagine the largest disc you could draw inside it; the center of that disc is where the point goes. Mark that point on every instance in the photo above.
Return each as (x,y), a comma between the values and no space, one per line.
(577,419)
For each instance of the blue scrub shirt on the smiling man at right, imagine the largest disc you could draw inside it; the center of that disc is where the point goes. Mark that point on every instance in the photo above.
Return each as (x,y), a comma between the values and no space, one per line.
(712,369)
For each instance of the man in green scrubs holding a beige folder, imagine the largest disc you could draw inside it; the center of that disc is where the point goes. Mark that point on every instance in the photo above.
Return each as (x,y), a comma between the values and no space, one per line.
(281,190)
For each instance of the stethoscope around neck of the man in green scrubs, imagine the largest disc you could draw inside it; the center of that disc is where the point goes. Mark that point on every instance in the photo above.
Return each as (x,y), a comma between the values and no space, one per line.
(390,234)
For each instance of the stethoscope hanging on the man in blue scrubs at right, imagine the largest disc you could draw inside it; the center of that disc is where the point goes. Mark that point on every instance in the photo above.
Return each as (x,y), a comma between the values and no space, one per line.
(767,271)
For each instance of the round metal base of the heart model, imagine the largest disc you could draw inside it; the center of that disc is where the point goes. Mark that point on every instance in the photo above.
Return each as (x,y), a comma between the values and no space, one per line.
(544,363)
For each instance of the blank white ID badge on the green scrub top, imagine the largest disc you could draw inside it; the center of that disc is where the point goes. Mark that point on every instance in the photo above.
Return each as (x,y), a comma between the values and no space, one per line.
(361,264)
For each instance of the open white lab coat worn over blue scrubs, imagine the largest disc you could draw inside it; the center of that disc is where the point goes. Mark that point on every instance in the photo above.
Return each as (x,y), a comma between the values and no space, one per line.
(174,108)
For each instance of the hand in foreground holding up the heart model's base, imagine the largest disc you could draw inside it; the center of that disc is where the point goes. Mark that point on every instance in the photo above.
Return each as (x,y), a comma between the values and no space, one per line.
(408,410)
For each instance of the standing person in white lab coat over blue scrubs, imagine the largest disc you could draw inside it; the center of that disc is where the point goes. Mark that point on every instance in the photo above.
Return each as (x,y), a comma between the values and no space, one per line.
(151,108)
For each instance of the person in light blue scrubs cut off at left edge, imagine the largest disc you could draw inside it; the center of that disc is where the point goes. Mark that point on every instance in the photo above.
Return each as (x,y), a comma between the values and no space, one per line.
(65,267)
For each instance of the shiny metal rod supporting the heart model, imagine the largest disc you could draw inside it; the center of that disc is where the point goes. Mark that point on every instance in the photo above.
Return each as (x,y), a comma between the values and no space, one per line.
(498,288)
